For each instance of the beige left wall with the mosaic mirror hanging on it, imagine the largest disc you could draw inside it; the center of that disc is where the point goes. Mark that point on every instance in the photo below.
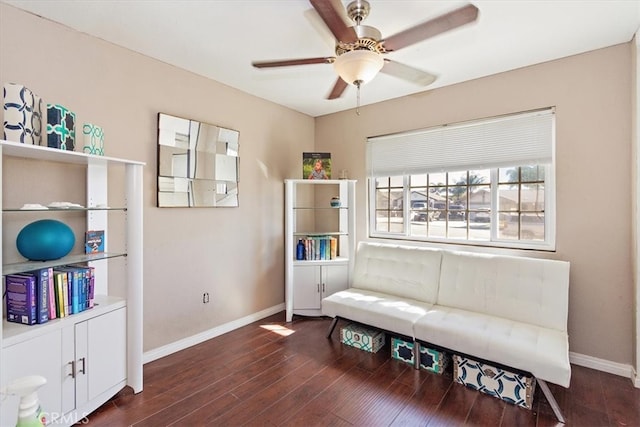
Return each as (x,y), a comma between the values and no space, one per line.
(235,254)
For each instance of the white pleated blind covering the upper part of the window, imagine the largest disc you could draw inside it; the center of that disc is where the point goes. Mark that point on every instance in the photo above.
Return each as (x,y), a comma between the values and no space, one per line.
(517,139)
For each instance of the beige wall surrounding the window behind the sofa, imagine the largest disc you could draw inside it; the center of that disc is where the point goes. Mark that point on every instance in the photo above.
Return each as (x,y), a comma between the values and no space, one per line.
(591,93)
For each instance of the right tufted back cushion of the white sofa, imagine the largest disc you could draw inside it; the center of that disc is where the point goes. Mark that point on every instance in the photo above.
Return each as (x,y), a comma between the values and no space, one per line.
(530,290)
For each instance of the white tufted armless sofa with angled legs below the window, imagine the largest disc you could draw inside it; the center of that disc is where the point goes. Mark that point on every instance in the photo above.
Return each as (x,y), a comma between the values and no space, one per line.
(509,311)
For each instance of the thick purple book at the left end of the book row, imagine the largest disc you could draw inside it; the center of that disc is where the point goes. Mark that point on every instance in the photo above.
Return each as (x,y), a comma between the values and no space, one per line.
(21,299)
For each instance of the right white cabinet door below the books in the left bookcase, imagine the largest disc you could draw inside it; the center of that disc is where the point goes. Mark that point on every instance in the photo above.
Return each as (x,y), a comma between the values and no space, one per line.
(107,351)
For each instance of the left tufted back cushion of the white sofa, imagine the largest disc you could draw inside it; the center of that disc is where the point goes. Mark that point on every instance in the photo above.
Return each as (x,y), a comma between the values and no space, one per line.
(409,272)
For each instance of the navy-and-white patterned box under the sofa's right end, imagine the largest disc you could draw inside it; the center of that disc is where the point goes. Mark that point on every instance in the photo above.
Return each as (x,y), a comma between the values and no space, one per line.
(511,387)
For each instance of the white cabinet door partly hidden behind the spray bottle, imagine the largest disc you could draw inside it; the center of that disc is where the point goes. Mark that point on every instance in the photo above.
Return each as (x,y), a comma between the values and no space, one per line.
(41,356)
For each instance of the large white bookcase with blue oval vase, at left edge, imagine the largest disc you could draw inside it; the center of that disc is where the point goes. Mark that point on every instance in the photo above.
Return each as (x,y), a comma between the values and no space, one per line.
(107,337)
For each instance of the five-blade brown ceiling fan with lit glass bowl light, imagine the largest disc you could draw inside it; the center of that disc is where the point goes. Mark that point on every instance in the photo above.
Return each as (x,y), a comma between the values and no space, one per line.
(360,48)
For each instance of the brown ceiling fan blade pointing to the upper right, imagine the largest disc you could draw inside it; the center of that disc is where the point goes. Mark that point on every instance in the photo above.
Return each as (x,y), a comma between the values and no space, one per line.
(446,22)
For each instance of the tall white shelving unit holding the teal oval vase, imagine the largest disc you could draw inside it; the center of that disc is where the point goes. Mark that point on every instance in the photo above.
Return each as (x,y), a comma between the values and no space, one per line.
(86,357)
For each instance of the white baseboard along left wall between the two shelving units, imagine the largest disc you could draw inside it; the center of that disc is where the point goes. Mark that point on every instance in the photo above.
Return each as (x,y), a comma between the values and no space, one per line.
(165,350)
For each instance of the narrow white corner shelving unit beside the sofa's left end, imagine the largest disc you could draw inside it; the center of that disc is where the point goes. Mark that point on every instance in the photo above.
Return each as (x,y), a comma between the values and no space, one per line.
(309,213)
